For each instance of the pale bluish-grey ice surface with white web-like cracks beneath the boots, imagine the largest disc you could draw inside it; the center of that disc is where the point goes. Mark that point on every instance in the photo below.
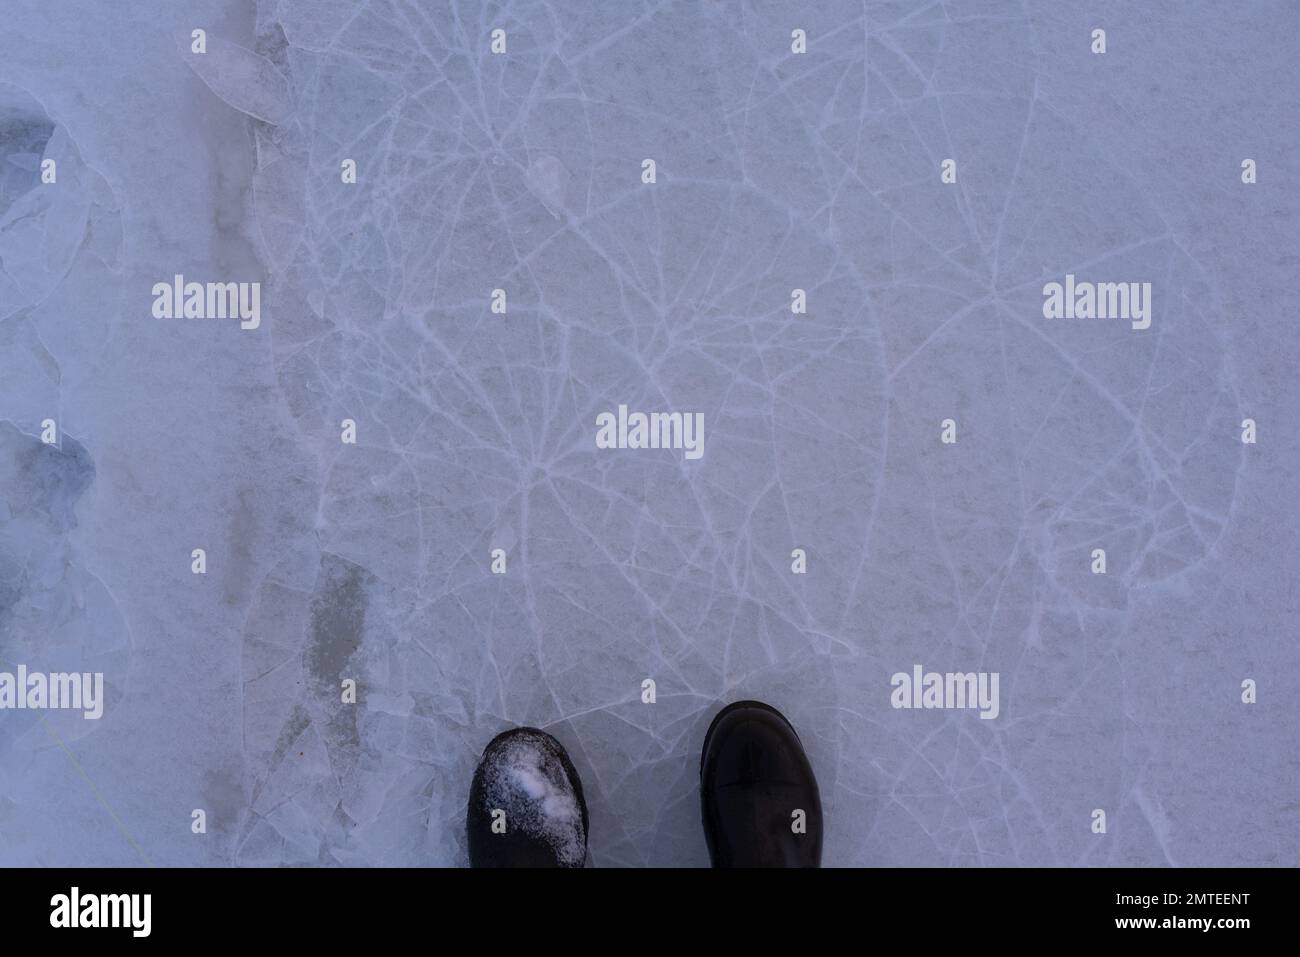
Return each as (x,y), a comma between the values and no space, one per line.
(476,431)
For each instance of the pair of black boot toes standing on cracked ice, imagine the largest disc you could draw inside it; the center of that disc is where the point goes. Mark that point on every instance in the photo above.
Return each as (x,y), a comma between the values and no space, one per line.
(757,794)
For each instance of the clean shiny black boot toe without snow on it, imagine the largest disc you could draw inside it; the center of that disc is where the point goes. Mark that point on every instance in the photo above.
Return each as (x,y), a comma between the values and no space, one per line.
(757,791)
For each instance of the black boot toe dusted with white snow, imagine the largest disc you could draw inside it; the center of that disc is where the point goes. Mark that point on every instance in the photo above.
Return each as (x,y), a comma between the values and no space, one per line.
(526,806)
